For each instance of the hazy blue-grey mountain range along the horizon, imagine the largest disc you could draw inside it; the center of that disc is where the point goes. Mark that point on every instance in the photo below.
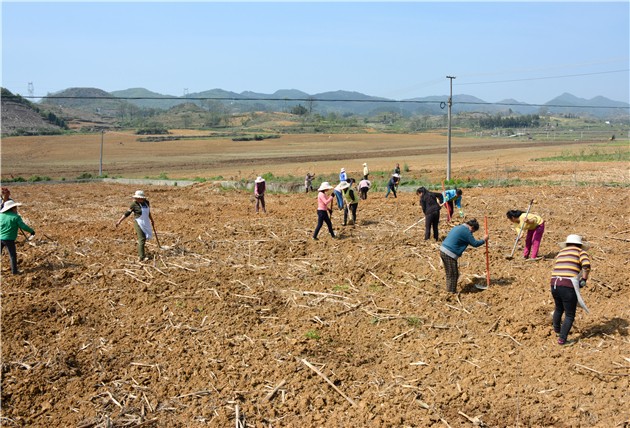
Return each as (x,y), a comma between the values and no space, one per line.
(339,102)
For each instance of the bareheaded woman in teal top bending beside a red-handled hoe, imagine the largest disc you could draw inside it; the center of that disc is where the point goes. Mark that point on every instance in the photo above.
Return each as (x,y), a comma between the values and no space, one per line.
(454,245)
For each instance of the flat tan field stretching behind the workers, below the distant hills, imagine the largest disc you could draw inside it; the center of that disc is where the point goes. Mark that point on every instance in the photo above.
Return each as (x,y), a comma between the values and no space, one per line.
(124,155)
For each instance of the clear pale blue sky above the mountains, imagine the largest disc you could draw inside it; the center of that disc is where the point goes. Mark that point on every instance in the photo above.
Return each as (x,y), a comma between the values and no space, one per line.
(528,51)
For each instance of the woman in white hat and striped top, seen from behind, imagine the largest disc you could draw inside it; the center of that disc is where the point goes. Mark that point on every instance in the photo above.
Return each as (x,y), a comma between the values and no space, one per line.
(570,271)
